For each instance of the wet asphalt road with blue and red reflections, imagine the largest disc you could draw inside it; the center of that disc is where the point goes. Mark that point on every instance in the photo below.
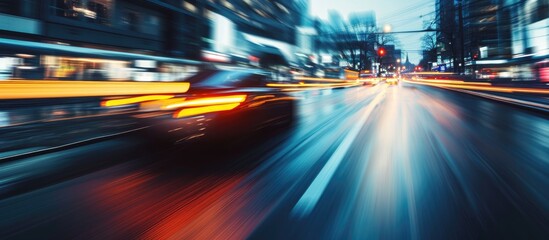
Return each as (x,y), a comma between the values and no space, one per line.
(382,162)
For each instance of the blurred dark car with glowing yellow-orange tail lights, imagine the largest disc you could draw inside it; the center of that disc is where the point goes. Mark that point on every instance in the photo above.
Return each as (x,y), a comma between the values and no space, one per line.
(221,104)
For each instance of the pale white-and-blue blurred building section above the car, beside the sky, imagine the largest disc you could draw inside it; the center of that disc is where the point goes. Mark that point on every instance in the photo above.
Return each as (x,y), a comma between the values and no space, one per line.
(254,30)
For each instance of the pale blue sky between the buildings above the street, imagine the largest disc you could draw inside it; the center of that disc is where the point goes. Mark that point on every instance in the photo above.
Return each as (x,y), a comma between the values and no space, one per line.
(402,15)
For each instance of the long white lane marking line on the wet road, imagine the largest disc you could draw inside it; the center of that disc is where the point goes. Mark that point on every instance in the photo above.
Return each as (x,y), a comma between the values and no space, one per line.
(308,201)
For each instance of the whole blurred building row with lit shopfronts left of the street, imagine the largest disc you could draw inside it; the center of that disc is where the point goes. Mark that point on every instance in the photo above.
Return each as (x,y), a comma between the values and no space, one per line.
(178,29)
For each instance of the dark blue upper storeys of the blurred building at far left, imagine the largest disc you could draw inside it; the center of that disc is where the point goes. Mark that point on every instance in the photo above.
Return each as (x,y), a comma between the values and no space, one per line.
(153,27)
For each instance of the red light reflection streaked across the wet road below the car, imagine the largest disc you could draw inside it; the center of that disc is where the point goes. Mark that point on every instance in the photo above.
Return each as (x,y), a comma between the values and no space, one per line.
(198,210)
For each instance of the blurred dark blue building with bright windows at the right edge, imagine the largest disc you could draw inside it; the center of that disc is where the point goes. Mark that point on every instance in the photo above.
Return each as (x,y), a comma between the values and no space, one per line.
(502,38)
